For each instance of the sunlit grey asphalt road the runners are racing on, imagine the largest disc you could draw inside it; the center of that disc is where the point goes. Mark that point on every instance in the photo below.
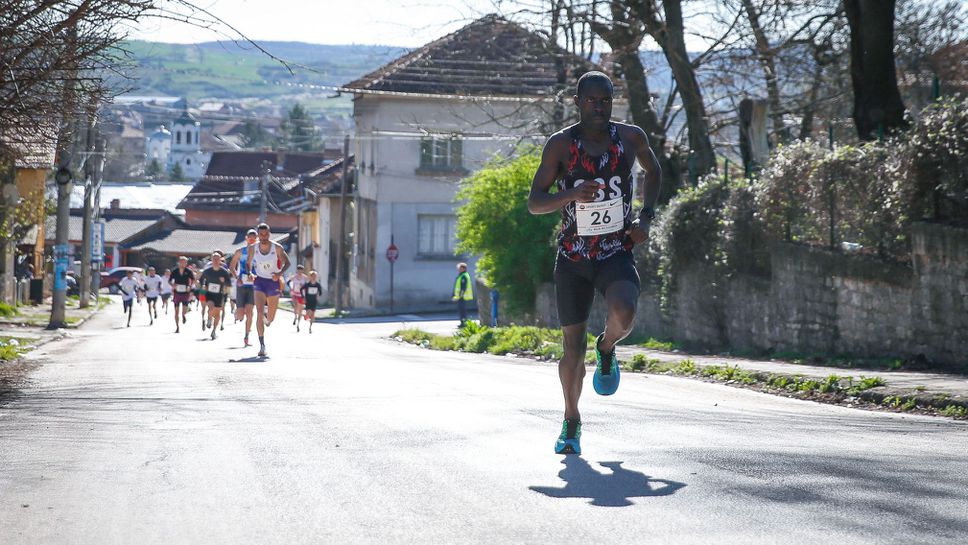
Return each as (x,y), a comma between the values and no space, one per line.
(143,436)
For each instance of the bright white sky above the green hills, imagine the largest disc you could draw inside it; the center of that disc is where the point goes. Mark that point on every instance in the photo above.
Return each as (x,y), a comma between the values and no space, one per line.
(406,23)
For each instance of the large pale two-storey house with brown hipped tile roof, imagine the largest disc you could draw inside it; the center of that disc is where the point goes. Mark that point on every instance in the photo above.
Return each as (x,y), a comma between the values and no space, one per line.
(425,121)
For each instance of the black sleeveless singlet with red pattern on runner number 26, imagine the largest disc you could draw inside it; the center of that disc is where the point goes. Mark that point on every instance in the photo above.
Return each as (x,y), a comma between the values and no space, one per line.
(612,168)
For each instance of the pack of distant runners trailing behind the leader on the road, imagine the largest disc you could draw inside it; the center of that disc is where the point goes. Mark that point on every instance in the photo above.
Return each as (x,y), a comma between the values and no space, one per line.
(251,282)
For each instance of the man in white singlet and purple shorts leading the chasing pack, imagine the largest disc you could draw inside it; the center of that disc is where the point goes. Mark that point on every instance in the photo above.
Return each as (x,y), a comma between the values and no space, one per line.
(265,261)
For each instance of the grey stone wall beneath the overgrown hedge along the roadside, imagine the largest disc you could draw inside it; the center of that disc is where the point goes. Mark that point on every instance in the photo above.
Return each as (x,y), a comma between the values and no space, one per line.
(818,301)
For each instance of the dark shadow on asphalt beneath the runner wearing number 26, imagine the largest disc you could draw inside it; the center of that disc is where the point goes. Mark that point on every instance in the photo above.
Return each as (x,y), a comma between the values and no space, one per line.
(613,489)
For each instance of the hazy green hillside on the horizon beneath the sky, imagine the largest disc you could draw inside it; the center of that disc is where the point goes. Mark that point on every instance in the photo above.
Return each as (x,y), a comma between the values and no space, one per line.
(229,70)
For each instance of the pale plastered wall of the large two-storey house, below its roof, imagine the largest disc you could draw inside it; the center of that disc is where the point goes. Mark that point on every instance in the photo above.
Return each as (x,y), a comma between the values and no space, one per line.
(389,131)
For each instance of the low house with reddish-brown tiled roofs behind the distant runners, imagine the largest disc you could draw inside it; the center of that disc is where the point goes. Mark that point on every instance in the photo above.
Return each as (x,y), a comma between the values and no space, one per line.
(229,195)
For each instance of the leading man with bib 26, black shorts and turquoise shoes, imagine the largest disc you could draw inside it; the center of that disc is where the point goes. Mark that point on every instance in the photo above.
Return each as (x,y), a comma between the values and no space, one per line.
(591,165)
